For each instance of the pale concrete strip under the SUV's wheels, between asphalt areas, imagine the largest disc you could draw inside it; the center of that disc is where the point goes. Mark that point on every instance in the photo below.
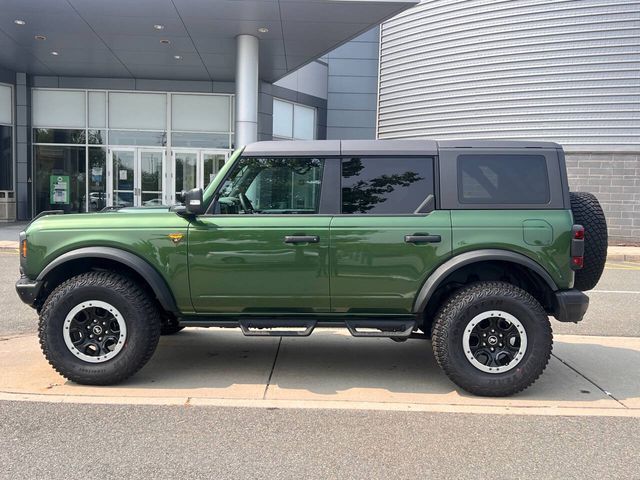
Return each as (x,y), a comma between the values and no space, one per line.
(586,376)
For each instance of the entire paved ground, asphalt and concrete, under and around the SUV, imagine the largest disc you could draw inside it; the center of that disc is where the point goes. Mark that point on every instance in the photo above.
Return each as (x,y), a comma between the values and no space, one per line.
(213,404)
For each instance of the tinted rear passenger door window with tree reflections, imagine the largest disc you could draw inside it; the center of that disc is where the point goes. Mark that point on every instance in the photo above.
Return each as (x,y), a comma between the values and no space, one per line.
(385,185)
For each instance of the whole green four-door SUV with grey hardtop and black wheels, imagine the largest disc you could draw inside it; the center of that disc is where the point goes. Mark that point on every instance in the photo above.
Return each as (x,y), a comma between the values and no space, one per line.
(472,244)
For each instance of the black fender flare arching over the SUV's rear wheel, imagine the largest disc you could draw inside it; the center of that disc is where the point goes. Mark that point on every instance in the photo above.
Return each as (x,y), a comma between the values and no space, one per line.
(476,256)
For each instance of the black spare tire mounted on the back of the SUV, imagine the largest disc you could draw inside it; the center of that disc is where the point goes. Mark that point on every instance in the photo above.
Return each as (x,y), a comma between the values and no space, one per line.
(588,213)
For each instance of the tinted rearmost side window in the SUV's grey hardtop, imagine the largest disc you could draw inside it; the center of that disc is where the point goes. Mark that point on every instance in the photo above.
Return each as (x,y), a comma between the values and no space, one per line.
(503,179)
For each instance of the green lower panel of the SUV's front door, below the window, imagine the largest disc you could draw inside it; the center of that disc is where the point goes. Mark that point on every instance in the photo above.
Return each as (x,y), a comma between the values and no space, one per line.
(240,264)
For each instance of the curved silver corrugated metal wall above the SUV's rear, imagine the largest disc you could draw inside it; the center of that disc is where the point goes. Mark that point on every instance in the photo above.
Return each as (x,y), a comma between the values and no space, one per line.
(566,71)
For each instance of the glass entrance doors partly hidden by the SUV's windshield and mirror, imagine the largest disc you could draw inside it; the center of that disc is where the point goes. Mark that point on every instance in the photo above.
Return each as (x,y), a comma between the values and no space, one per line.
(195,168)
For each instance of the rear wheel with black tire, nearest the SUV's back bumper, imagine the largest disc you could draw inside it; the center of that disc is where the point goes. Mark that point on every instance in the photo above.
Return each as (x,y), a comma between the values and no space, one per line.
(492,339)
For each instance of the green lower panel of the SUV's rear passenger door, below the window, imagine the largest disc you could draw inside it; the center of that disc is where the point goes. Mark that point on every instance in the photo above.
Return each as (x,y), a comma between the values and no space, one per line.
(374,270)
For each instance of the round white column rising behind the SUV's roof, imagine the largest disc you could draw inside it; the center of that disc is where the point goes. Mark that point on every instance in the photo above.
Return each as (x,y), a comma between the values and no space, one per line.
(246,90)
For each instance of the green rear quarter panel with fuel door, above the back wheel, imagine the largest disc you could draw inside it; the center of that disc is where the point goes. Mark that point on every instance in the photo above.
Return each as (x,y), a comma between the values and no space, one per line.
(515,231)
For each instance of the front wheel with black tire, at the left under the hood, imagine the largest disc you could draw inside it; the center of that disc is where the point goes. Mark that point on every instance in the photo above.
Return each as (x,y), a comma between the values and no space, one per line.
(98,328)
